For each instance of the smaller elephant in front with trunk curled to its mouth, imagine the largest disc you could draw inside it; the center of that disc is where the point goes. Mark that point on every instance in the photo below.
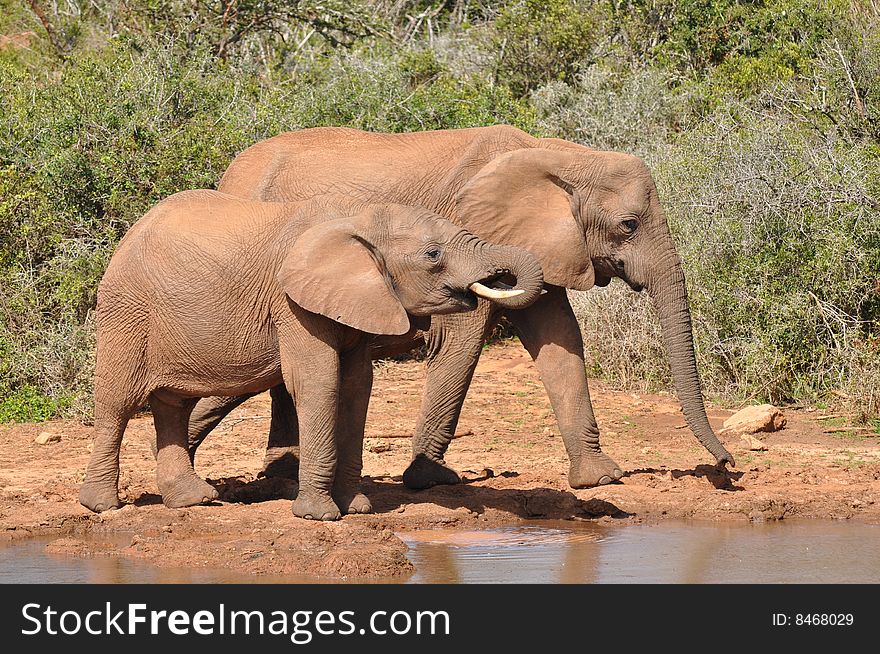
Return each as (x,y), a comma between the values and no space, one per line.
(210,294)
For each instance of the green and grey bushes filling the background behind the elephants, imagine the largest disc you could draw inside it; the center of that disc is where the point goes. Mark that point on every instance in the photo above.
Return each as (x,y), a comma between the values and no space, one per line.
(759,118)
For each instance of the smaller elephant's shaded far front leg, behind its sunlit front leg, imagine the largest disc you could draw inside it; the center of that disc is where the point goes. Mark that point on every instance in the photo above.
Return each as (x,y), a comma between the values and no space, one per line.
(355,384)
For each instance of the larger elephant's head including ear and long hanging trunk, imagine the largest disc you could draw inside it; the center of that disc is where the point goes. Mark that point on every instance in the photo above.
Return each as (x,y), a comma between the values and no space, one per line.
(604,208)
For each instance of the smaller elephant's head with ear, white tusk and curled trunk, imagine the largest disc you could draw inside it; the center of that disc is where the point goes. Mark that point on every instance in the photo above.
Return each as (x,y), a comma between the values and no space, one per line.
(371,268)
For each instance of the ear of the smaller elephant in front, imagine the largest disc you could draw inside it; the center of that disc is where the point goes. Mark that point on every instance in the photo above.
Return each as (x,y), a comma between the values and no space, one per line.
(330,270)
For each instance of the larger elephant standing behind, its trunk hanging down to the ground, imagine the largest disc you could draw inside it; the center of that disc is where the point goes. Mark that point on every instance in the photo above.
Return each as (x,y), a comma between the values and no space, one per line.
(587,215)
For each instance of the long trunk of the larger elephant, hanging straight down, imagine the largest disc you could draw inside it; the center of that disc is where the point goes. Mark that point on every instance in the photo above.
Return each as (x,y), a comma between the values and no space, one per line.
(669,294)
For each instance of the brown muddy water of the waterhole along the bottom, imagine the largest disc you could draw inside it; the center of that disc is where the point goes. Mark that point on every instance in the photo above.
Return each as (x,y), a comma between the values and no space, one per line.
(549,552)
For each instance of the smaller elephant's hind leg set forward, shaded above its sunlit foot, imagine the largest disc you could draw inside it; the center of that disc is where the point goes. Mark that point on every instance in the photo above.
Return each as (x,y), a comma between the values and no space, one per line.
(178,483)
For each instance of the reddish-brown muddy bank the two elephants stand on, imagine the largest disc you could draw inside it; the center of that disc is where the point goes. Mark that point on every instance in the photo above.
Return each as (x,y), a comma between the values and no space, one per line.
(508,449)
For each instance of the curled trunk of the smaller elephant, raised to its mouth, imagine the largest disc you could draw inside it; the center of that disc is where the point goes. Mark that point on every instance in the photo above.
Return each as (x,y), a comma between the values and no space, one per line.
(503,261)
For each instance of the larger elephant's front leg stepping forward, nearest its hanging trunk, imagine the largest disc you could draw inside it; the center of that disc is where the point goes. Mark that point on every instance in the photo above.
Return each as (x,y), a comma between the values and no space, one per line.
(550,332)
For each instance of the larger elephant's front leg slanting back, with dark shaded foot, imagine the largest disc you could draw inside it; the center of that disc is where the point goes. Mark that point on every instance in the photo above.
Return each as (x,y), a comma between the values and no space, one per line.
(454,345)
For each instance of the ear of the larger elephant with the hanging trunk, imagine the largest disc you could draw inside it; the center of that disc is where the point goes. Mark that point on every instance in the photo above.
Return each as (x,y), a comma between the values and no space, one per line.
(521,198)
